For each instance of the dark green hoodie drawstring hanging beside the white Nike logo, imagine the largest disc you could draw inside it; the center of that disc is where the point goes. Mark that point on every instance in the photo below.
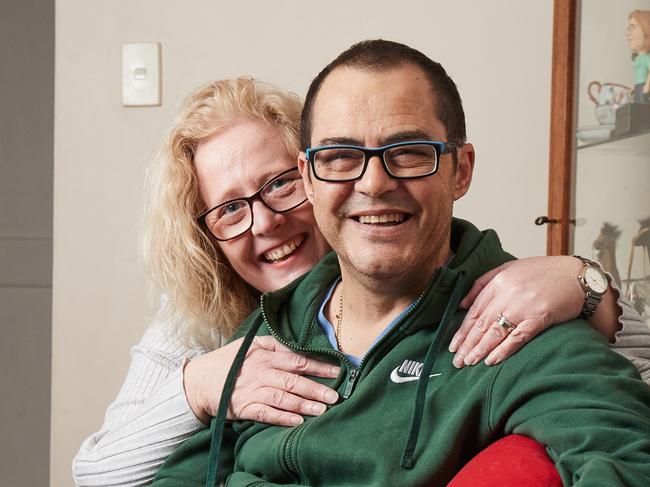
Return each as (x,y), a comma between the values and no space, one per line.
(421,391)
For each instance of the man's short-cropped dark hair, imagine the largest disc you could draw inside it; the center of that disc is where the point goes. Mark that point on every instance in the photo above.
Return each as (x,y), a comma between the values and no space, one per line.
(382,55)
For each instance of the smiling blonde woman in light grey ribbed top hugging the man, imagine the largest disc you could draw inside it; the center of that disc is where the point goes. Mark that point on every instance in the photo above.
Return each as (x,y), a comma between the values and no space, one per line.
(232,139)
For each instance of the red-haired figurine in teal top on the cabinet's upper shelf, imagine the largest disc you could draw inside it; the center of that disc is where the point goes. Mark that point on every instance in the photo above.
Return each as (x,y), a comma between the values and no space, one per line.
(638,36)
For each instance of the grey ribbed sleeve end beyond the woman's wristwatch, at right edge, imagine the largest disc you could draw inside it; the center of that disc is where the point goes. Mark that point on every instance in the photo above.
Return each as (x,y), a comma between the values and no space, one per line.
(633,339)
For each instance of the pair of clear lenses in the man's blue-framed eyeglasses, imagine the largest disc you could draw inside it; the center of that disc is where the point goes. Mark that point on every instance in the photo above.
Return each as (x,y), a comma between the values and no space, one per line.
(402,161)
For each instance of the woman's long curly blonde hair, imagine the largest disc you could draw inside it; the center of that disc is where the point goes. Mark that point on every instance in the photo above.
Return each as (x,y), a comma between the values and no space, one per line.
(206,298)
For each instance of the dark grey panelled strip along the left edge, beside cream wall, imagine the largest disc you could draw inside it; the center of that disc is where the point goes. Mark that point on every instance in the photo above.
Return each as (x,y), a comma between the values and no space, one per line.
(26,161)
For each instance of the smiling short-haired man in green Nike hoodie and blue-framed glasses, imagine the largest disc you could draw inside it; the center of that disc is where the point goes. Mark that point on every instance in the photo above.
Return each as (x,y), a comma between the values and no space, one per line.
(385,158)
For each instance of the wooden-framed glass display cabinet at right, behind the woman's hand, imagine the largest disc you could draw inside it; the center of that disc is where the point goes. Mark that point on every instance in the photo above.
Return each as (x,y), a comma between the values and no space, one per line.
(599,177)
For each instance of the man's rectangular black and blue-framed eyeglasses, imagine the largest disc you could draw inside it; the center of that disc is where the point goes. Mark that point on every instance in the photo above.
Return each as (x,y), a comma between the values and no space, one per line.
(402,160)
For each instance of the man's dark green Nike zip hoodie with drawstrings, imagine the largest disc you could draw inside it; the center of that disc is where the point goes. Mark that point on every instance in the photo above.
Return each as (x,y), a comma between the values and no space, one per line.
(409,417)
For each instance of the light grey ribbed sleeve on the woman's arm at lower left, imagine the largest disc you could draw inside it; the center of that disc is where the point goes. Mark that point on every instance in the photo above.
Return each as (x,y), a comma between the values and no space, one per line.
(148,420)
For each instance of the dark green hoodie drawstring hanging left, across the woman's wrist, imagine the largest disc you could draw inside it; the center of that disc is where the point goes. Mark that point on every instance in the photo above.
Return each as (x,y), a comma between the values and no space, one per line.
(218,423)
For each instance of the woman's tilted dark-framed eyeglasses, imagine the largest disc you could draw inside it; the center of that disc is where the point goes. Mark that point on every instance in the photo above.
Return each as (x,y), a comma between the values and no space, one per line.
(235,217)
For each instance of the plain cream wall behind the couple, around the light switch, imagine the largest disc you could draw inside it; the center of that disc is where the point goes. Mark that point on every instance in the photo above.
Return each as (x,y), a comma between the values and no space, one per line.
(499,53)
